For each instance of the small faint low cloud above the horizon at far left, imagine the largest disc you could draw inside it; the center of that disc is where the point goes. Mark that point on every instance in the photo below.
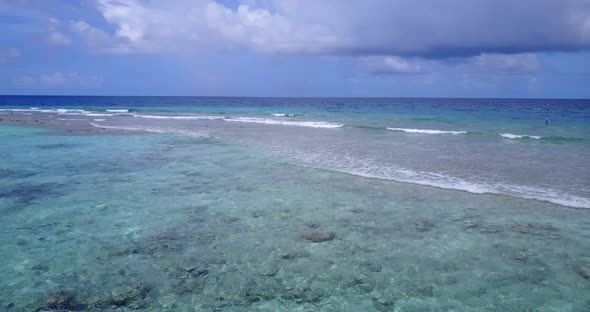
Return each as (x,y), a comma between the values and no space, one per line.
(58,79)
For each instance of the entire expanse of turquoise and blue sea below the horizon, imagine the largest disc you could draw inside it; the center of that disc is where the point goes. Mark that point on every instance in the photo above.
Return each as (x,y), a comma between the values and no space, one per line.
(294,204)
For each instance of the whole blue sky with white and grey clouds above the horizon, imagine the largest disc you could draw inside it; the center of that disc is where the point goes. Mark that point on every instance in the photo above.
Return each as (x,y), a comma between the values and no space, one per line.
(380,48)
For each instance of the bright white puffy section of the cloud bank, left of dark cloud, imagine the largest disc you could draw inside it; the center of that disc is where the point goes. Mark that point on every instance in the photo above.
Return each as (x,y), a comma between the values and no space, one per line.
(171,26)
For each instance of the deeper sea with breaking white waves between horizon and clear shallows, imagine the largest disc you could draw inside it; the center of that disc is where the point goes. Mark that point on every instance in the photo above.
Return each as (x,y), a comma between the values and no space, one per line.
(535,149)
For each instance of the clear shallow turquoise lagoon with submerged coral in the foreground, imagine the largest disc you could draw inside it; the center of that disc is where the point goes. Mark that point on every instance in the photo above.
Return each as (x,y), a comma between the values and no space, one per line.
(178,223)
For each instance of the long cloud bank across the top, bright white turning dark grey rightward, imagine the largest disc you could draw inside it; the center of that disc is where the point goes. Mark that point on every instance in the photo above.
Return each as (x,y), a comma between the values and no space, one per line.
(373,27)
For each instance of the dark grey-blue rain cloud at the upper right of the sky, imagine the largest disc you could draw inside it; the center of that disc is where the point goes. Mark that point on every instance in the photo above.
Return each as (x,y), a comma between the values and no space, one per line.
(453,28)
